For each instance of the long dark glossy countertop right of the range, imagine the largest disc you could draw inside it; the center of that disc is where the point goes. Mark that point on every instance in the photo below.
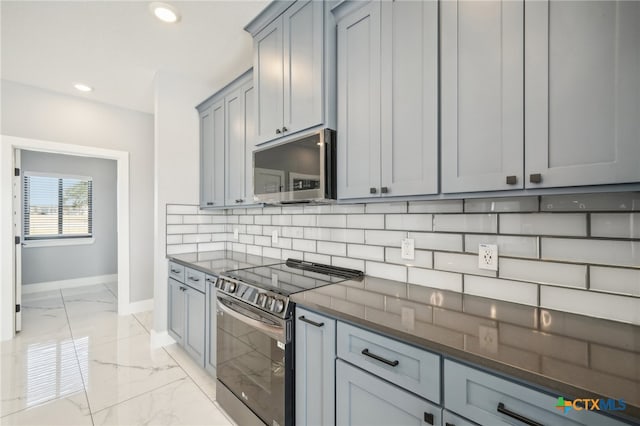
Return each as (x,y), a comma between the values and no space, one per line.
(573,355)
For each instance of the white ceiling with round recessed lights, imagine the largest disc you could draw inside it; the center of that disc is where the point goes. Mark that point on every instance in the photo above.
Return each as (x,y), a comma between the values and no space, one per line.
(117,46)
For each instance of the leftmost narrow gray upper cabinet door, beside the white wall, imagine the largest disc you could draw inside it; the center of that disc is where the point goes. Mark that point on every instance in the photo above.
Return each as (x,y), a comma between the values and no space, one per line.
(212,141)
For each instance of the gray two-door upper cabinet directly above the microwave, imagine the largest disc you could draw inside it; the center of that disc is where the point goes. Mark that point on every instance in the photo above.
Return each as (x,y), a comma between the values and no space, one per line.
(292,59)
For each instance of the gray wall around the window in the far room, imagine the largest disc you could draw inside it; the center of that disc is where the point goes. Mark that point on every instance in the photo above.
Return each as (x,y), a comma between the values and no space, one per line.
(42,264)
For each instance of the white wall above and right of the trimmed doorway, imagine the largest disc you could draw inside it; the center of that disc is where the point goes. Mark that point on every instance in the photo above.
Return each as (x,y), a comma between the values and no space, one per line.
(34,113)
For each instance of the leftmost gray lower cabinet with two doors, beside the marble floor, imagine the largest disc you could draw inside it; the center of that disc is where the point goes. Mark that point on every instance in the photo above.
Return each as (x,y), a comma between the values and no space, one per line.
(186,312)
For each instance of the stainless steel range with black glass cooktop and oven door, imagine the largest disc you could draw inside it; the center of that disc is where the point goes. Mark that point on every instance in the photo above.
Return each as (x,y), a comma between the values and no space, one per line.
(255,337)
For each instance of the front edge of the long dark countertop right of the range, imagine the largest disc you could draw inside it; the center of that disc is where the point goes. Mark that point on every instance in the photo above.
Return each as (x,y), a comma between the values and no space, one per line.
(544,383)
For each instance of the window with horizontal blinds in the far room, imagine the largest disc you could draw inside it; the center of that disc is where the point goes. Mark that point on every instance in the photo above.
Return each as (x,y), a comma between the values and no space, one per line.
(57,206)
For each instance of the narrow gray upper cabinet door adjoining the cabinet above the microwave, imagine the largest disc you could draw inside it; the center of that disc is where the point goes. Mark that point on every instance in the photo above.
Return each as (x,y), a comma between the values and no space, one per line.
(240,137)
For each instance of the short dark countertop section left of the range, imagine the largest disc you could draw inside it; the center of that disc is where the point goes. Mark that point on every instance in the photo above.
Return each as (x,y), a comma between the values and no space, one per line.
(216,262)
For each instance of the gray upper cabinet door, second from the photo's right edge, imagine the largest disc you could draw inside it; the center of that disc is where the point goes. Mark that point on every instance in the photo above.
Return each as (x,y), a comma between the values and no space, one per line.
(482,95)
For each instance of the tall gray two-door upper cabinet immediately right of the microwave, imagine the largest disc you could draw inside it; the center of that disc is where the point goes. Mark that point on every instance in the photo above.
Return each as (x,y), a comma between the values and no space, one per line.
(387,99)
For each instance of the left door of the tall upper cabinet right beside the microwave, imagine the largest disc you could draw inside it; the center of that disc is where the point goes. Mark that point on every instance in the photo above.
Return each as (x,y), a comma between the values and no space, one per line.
(359,103)
